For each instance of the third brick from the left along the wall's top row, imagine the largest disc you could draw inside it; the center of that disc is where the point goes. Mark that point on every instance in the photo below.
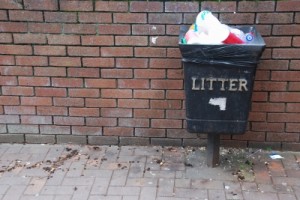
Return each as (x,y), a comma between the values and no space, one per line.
(76,5)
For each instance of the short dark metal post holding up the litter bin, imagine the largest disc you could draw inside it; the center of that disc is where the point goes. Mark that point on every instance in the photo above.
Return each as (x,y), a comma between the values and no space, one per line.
(213,150)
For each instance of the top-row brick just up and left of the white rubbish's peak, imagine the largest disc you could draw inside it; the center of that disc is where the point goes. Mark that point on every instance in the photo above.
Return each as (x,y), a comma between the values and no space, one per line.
(181,7)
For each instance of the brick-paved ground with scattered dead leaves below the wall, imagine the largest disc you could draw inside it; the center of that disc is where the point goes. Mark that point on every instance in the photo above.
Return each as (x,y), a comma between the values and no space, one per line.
(144,173)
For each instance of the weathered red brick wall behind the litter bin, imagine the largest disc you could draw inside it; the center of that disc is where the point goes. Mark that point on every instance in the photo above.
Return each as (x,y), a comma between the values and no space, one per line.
(102,72)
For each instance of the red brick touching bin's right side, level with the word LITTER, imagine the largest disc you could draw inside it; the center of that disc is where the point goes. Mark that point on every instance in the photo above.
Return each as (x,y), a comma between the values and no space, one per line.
(269,86)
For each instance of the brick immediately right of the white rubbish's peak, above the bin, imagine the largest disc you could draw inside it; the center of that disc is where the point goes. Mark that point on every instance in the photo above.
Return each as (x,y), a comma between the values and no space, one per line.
(237,18)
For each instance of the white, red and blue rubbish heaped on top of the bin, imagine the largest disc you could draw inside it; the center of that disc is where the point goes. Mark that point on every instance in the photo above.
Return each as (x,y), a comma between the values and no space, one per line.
(207,29)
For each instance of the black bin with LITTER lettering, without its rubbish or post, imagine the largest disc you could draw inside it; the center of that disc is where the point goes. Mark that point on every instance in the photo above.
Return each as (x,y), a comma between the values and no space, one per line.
(218,83)
